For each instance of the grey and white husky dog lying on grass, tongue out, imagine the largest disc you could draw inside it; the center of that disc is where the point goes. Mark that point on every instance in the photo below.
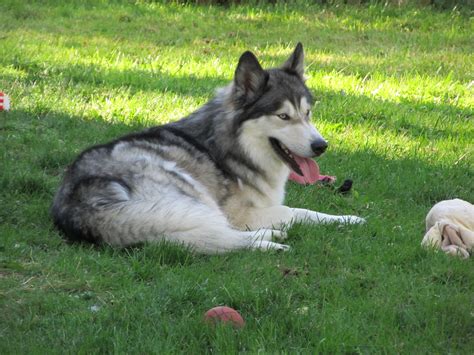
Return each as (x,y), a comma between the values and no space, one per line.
(214,180)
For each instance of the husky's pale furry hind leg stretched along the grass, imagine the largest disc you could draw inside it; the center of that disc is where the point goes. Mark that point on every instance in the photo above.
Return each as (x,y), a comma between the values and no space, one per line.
(183,220)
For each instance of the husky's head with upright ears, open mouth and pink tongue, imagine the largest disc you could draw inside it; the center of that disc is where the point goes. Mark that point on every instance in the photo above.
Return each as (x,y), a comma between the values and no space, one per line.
(275,106)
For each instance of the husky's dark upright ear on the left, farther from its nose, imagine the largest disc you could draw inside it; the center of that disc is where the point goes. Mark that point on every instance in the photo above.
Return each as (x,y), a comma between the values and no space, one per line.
(250,78)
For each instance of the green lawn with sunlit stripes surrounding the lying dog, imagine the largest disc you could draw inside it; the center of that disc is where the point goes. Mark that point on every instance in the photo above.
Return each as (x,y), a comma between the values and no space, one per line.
(396,100)
